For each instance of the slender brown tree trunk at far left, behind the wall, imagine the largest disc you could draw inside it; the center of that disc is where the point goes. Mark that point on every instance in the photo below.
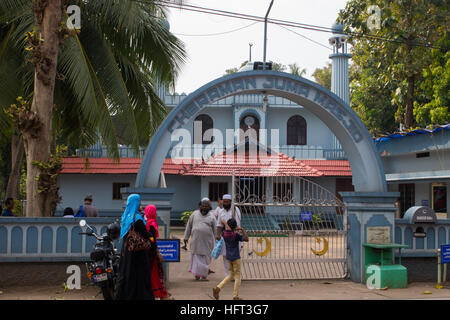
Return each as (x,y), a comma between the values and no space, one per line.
(17,151)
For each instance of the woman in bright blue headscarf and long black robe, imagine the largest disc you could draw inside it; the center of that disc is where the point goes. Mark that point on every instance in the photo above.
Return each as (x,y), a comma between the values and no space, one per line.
(134,282)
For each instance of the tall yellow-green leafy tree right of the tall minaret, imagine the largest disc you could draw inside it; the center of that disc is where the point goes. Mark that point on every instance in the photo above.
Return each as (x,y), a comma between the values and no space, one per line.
(393,70)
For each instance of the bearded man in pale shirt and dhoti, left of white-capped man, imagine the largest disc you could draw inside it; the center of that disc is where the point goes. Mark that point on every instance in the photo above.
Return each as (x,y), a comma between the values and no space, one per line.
(202,228)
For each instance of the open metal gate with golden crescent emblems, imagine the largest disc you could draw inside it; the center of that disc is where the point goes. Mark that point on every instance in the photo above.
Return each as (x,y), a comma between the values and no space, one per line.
(297,229)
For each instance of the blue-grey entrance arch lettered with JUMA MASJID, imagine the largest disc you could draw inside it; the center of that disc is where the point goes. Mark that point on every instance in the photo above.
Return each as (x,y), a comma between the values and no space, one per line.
(367,169)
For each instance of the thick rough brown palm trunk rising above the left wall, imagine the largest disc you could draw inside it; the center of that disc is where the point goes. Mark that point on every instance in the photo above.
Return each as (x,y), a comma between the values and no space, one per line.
(37,146)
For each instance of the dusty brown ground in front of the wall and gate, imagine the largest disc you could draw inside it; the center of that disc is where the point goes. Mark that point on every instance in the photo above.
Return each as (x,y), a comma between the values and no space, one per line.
(184,287)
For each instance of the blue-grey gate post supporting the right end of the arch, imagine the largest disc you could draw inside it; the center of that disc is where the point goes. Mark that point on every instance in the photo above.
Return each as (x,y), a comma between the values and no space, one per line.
(367,210)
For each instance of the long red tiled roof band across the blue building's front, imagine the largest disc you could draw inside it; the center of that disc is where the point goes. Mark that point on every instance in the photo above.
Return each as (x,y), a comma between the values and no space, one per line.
(215,166)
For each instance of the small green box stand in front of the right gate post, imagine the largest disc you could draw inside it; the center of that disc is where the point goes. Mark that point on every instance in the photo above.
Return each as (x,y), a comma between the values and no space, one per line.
(381,258)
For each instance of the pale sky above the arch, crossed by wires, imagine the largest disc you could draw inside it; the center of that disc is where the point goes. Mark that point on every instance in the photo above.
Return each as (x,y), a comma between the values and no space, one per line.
(208,56)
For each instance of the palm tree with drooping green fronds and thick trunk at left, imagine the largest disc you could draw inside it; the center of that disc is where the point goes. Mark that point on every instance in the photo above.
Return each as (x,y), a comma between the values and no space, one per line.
(110,68)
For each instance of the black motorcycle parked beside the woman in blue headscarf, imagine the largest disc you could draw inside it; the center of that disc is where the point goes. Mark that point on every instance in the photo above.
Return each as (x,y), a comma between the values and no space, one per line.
(103,269)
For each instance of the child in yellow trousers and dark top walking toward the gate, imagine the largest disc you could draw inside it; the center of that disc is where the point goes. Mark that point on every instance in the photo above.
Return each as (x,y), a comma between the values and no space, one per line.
(232,239)
